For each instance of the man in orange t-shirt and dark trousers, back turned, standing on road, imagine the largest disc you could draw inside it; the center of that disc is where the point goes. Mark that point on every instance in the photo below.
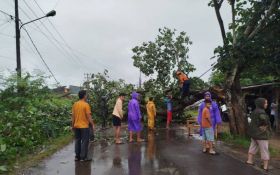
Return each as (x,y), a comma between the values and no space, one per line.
(81,118)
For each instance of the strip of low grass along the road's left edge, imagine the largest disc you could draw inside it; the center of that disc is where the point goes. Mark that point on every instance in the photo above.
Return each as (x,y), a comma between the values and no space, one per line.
(49,147)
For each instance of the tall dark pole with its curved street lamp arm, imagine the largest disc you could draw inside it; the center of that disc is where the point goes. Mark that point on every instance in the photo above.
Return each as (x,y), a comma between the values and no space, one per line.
(49,14)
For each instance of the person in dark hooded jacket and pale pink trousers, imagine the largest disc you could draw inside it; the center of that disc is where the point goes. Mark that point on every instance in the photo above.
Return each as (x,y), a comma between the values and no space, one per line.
(260,131)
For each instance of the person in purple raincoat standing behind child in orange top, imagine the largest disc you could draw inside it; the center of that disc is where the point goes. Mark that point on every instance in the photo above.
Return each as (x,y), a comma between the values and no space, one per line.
(214,112)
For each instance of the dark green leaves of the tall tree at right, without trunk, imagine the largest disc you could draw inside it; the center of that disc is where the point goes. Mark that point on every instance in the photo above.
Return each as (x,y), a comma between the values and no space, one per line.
(256,53)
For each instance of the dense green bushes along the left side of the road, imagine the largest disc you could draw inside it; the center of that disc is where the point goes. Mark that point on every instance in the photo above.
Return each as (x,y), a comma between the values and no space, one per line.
(29,116)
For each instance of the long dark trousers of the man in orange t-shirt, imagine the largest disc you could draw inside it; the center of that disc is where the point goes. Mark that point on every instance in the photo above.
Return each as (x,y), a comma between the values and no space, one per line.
(81,142)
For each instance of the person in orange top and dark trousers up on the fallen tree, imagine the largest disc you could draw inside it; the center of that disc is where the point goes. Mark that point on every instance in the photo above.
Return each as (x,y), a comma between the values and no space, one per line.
(184,83)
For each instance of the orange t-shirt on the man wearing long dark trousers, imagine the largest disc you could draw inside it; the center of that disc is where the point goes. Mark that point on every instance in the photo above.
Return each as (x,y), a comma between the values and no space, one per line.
(80,110)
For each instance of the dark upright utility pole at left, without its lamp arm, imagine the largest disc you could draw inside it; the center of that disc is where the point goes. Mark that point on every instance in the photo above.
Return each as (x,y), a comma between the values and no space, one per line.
(18,69)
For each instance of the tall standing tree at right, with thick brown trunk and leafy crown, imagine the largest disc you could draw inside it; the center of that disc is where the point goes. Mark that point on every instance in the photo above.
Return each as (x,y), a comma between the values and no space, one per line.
(248,46)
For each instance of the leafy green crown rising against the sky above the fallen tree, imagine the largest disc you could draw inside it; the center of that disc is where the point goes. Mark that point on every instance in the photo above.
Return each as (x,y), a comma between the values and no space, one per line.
(161,58)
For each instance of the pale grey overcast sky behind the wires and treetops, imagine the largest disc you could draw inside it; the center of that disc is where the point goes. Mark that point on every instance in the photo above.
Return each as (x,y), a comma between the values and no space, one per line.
(99,34)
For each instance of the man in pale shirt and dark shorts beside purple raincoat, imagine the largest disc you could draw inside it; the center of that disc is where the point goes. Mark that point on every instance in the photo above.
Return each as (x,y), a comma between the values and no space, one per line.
(117,117)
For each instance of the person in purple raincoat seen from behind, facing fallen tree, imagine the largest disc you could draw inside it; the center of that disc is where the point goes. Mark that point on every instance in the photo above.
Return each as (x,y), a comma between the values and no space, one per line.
(134,118)
